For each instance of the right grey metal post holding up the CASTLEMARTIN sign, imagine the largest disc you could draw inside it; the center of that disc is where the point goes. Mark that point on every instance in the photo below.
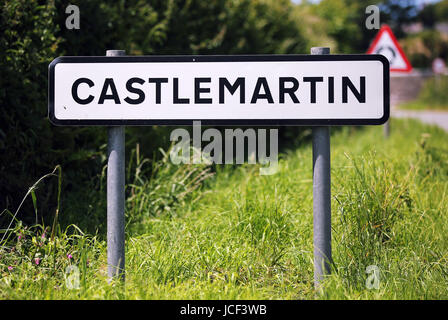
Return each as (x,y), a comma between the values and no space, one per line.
(321,196)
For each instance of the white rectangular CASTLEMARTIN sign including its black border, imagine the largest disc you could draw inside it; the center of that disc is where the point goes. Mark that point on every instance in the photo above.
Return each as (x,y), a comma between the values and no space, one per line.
(230,90)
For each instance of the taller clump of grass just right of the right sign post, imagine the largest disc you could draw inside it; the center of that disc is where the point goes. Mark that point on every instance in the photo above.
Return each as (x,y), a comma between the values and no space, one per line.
(374,200)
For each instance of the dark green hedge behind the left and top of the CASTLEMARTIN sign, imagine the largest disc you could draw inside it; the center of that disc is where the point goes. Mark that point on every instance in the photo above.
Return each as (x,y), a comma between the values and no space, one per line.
(34,33)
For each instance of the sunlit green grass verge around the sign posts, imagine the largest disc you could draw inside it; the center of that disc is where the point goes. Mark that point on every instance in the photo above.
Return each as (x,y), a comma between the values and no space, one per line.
(239,235)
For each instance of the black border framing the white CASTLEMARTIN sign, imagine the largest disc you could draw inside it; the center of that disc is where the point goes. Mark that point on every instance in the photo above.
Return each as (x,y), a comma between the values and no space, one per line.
(222,58)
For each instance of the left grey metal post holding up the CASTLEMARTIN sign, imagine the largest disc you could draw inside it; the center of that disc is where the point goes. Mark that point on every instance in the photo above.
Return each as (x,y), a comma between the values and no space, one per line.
(115,196)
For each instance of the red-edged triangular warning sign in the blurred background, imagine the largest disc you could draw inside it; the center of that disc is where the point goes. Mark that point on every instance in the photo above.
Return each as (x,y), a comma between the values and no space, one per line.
(386,44)
